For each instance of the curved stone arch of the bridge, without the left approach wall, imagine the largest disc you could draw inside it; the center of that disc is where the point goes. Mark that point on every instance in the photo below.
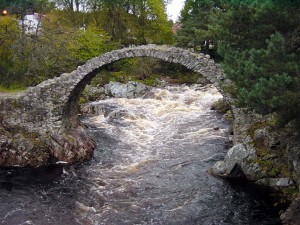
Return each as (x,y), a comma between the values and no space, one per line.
(199,63)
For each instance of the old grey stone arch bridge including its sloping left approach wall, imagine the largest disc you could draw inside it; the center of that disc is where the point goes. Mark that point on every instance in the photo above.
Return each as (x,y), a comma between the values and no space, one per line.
(51,108)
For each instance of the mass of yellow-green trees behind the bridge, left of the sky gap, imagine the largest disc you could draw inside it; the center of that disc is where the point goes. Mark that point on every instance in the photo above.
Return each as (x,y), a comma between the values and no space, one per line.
(70,32)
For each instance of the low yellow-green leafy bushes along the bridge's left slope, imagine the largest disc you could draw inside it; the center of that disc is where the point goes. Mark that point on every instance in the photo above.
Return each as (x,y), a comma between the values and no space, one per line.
(58,47)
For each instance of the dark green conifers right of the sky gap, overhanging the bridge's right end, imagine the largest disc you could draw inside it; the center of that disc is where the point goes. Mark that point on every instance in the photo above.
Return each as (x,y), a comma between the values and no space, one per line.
(258,44)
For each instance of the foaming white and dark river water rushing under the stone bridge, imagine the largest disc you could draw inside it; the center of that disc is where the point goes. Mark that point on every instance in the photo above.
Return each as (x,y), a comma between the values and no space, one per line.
(150,167)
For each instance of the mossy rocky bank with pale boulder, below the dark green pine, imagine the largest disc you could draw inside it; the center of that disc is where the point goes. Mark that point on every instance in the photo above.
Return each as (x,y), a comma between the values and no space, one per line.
(265,154)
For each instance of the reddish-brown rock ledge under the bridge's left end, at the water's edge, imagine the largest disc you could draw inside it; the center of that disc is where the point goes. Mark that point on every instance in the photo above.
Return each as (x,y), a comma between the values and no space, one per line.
(20,147)
